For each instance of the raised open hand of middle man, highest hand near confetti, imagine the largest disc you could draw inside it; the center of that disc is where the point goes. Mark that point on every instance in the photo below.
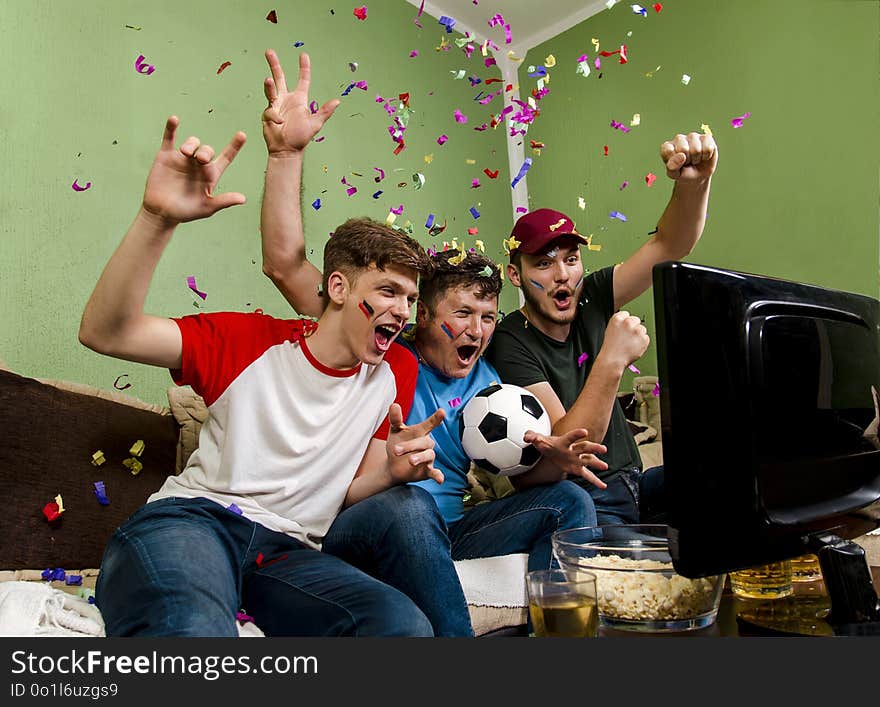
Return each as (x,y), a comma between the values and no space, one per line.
(288,122)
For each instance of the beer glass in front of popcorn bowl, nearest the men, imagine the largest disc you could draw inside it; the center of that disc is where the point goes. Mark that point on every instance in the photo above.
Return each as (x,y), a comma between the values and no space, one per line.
(563,604)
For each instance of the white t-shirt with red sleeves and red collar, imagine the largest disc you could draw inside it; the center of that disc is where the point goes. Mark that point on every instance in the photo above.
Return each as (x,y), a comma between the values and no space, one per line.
(285,434)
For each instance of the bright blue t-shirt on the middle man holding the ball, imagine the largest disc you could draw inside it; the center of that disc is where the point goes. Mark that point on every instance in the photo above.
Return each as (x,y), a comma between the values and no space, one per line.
(434,390)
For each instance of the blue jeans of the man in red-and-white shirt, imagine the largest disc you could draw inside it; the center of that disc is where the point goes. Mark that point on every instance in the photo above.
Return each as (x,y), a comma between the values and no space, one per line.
(184,567)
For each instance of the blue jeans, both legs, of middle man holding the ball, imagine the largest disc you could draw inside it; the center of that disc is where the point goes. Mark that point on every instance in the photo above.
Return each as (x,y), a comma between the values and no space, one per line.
(399,537)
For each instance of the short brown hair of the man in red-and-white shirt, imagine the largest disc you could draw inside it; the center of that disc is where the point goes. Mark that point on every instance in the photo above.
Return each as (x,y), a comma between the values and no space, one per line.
(361,242)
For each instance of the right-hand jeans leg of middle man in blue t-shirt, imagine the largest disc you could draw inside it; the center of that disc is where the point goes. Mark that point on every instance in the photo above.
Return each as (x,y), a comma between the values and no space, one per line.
(522,522)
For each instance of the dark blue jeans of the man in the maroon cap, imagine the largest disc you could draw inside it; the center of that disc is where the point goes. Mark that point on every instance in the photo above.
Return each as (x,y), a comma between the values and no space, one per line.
(632,496)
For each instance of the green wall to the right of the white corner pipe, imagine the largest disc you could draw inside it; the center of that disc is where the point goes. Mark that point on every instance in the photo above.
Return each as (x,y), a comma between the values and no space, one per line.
(795,194)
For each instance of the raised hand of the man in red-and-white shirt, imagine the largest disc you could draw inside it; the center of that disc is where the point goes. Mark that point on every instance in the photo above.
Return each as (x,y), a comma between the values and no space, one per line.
(180,185)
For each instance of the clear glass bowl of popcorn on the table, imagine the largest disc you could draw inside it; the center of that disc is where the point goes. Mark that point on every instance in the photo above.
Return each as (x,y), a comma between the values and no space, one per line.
(637,587)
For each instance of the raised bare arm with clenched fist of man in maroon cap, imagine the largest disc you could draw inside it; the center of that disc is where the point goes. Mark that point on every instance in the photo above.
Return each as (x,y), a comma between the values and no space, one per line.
(690,161)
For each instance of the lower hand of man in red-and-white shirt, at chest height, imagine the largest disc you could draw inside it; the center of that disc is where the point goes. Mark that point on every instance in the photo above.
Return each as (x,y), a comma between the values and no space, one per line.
(410,448)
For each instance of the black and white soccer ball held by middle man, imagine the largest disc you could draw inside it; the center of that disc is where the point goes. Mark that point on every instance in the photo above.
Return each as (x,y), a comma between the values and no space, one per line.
(492,425)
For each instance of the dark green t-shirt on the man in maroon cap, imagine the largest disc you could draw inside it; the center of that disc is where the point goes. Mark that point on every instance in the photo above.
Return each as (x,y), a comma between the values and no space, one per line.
(523,356)
